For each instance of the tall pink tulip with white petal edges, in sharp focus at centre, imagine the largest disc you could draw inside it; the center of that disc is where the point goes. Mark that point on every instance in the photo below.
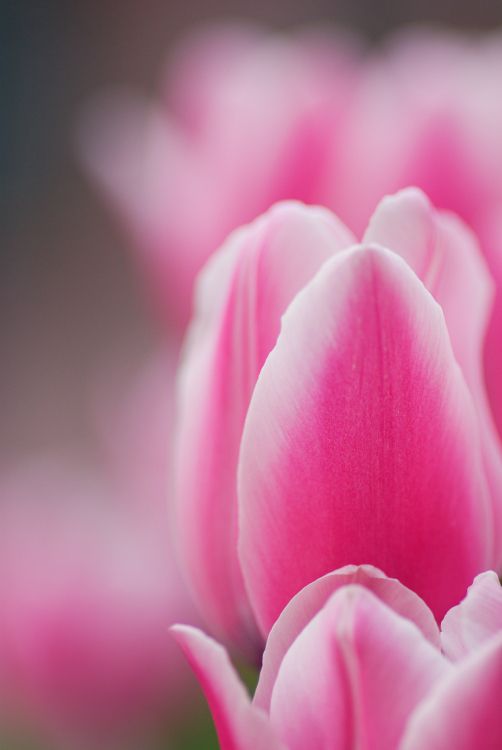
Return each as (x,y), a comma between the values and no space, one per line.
(364,441)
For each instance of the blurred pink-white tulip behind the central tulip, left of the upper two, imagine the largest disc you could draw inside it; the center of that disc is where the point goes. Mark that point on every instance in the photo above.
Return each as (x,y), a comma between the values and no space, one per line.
(246,119)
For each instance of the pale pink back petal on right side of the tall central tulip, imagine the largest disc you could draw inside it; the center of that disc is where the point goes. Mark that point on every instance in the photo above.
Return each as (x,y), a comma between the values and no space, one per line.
(444,253)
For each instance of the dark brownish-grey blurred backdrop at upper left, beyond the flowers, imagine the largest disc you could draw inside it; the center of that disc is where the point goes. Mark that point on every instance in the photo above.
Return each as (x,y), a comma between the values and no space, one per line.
(69,302)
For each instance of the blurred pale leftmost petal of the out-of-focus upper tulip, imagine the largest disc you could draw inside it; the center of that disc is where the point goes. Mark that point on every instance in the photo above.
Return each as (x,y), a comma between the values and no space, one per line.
(153,174)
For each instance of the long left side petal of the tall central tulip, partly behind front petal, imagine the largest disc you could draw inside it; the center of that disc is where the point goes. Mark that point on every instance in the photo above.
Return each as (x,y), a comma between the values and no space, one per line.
(240,299)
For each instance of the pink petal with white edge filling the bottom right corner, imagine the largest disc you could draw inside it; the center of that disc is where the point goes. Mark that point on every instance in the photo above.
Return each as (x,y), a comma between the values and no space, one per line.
(463,710)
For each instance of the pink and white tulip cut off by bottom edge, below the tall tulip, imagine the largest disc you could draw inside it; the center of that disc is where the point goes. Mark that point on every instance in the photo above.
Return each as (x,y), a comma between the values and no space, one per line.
(354,660)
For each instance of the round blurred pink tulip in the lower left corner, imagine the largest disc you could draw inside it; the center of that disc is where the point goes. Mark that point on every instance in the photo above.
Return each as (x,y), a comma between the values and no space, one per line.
(87,592)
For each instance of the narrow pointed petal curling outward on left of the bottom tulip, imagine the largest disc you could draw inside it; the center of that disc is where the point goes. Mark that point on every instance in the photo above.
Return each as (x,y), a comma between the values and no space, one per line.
(239,724)
